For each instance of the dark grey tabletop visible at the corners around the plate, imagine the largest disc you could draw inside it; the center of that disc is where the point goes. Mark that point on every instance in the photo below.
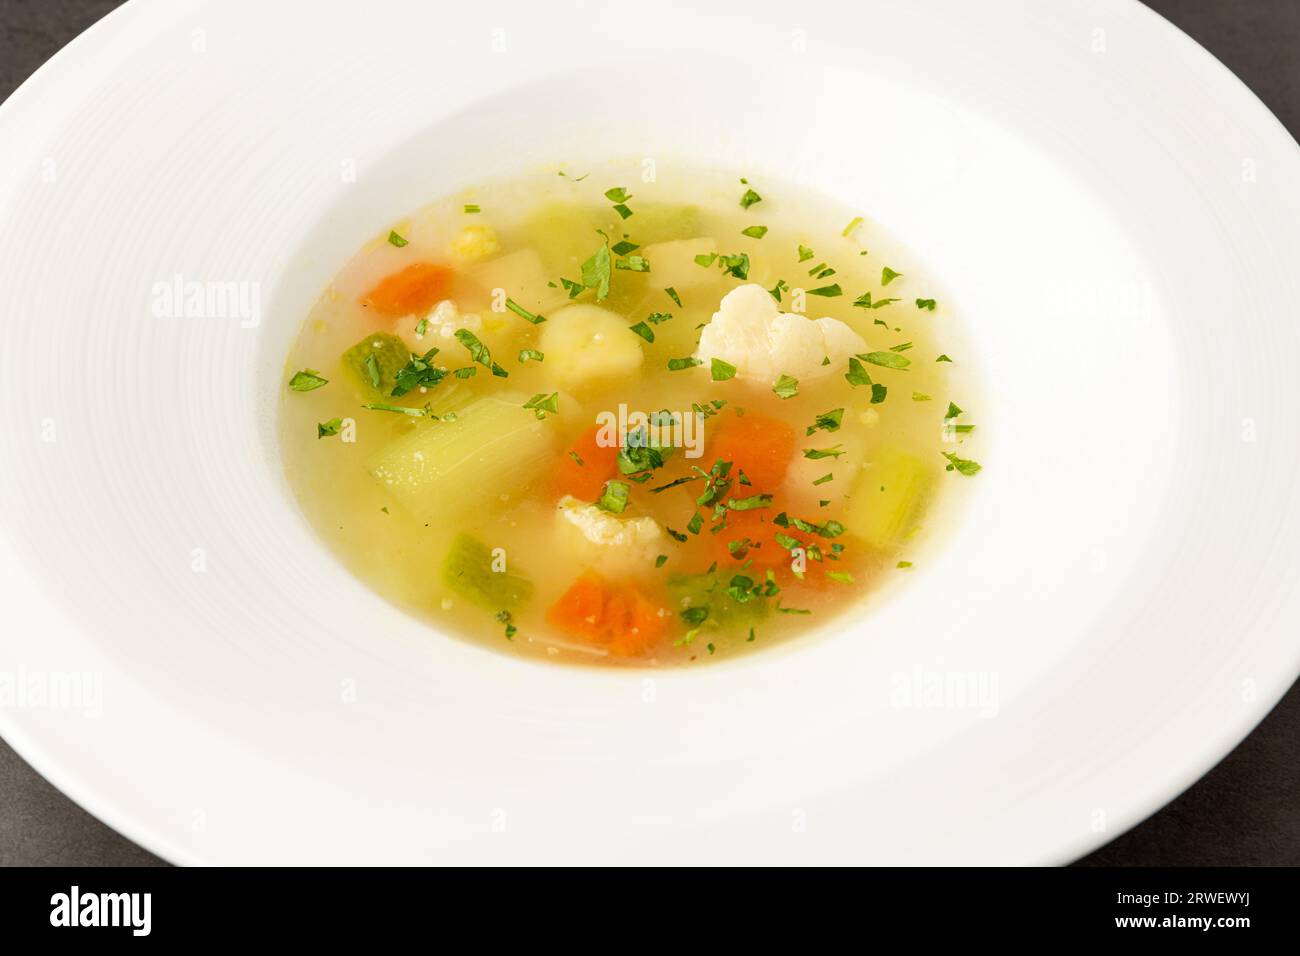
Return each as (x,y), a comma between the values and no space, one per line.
(1245,812)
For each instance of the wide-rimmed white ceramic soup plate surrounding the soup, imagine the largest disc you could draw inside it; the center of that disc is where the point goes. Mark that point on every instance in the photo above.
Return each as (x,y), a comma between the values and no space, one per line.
(1115,215)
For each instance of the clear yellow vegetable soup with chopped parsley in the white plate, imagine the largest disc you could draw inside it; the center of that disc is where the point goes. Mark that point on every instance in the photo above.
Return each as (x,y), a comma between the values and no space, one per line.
(627,417)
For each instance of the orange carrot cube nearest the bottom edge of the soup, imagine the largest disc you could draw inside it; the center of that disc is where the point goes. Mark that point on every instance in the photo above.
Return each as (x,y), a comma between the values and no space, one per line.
(617,617)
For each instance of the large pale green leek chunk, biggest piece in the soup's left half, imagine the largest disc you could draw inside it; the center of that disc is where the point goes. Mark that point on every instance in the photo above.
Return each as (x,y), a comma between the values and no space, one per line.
(493,448)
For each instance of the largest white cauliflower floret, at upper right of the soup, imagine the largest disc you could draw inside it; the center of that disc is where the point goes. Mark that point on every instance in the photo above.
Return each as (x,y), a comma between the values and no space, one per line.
(751,332)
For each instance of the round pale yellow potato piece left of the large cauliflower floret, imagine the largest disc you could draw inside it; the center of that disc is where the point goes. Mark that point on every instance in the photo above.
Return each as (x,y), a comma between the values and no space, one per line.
(588,345)
